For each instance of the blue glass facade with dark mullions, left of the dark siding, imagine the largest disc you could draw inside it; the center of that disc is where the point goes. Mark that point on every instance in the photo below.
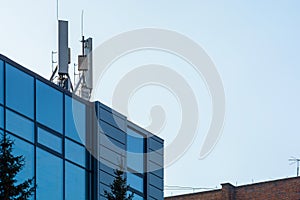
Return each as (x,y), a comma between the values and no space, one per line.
(32,114)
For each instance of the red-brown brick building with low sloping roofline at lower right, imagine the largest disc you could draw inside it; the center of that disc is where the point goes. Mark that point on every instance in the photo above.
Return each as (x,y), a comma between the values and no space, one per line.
(288,189)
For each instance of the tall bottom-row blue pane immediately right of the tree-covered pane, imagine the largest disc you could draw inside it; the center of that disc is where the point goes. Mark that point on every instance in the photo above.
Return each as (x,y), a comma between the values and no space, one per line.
(49,174)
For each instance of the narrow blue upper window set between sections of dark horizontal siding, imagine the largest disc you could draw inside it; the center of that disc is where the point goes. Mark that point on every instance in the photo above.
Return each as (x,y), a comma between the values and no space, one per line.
(135,148)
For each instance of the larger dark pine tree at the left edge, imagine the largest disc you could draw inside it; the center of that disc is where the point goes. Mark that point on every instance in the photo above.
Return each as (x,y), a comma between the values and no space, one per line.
(10,166)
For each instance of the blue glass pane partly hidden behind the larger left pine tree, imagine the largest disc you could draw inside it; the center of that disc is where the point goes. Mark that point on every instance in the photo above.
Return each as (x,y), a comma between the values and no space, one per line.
(27,150)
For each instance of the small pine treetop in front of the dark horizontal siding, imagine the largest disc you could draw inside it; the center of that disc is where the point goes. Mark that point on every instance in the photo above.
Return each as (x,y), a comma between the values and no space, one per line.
(119,188)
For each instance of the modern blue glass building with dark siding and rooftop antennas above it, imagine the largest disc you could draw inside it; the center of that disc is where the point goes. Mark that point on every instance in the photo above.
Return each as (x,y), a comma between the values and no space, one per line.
(71,146)
